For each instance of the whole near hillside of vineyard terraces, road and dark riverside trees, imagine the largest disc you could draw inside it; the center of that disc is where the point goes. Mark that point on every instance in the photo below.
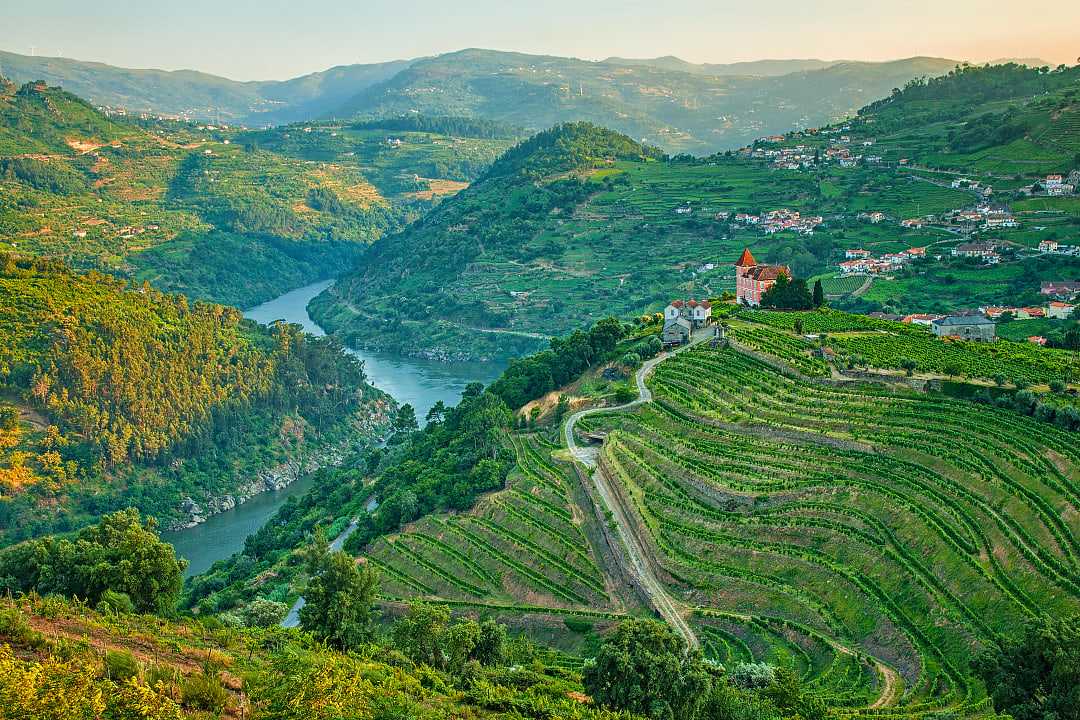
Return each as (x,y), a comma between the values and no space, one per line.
(861,528)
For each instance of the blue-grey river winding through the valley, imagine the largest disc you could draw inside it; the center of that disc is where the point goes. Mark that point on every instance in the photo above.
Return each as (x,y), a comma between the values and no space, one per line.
(418,383)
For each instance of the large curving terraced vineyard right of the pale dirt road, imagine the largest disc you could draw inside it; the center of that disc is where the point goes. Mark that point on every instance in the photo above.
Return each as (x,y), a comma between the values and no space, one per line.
(869,538)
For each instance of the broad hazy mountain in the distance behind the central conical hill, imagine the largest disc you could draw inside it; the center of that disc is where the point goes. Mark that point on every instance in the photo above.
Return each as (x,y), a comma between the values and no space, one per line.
(671,106)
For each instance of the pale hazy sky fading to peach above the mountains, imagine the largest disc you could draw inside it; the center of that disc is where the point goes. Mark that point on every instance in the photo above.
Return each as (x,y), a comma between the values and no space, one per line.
(276,39)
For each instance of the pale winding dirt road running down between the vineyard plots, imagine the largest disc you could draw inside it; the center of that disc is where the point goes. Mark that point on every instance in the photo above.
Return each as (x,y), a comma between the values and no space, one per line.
(641,568)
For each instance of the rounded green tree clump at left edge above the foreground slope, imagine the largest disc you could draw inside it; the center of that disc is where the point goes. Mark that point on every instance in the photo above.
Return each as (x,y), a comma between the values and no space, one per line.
(123,554)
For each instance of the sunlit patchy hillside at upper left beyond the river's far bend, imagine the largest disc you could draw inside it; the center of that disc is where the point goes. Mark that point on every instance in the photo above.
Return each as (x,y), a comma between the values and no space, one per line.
(183,206)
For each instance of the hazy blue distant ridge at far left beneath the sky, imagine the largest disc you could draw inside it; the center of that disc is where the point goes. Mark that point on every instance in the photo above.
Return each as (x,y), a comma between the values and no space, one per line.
(193,94)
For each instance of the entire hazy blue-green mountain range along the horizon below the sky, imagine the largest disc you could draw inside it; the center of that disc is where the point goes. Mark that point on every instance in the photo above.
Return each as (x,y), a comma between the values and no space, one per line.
(667,102)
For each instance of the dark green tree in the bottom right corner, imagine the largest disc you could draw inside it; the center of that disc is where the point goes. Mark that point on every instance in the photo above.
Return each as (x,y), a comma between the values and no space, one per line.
(1036,676)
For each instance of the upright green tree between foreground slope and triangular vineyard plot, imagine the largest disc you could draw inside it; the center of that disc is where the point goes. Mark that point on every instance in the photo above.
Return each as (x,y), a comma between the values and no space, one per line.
(339,599)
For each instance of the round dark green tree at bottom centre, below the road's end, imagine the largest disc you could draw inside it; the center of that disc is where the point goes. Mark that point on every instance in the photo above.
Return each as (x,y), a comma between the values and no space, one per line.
(645,669)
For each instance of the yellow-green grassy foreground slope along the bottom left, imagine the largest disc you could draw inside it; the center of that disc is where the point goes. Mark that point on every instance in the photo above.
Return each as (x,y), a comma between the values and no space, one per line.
(51,655)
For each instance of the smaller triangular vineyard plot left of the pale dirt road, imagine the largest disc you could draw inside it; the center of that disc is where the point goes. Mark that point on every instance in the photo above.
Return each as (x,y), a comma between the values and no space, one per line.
(525,547)
